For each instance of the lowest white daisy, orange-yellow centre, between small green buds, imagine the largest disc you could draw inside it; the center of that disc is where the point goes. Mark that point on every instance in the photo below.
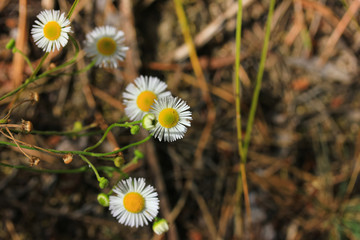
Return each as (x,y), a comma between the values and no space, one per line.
(135,203)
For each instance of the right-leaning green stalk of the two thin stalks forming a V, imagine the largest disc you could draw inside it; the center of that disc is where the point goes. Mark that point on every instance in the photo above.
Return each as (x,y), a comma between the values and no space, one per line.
(255,98)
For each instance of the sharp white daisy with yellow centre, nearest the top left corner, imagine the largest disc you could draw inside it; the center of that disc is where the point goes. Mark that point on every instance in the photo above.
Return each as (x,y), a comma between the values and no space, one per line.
(50,31)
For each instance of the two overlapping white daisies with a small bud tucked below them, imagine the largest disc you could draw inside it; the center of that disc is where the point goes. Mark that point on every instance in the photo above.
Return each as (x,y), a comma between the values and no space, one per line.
(165,116)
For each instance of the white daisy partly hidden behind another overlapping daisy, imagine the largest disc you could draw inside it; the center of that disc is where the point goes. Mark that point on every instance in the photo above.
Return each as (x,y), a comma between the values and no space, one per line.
(139,96)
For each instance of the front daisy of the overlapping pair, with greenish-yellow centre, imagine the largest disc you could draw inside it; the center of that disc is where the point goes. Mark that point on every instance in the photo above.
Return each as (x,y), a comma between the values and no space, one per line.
(172,118)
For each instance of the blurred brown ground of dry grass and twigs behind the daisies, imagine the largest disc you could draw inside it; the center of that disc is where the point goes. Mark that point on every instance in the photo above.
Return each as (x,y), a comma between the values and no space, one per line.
(303,161)
